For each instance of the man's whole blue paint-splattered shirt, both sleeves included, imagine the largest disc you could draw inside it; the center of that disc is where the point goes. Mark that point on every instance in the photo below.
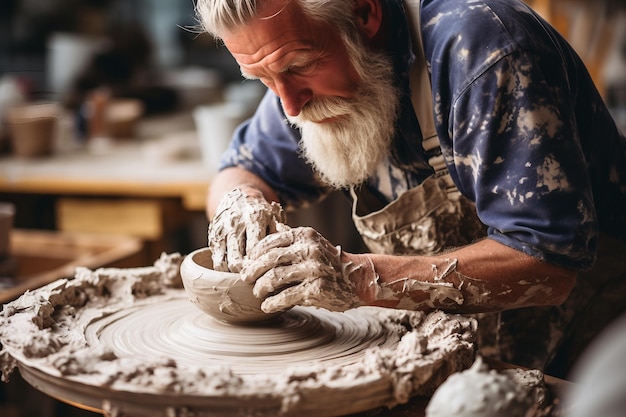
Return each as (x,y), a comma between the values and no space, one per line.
(524,132)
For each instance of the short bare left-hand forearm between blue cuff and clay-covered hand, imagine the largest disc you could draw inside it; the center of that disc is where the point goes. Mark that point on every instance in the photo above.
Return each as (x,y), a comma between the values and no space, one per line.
(234,177)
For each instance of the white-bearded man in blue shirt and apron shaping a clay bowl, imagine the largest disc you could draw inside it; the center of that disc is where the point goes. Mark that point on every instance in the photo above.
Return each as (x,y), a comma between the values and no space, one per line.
(527,155)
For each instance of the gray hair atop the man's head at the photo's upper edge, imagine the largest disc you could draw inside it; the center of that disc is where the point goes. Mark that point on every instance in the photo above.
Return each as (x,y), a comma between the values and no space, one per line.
(218,16)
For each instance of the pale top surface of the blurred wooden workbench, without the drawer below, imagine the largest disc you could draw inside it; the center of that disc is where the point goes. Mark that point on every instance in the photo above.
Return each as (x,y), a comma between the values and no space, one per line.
(162,161)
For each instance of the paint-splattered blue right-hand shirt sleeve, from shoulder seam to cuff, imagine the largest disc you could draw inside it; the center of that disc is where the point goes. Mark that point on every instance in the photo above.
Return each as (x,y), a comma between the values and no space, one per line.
(516,152)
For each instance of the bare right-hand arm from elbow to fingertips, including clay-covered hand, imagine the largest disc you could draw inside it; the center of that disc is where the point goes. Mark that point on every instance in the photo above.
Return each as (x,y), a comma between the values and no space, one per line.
(299,267)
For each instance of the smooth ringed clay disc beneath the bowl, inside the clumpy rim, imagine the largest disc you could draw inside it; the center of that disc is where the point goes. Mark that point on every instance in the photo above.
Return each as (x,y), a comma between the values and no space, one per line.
(177,329)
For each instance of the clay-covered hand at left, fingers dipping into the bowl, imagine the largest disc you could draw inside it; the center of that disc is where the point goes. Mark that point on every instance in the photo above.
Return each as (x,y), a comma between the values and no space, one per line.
(241,220)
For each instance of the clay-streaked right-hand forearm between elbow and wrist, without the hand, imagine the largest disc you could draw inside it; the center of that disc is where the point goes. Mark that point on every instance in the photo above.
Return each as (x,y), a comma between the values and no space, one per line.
(485,276)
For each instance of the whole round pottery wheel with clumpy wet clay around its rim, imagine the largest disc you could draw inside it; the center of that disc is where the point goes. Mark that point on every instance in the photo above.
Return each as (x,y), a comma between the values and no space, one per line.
(128,342)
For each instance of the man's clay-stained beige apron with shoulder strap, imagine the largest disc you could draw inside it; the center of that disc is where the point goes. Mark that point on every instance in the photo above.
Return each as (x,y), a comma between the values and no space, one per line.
(434,217)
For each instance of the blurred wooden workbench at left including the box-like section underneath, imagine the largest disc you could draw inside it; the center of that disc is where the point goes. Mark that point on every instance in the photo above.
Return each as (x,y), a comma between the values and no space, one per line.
(149,187)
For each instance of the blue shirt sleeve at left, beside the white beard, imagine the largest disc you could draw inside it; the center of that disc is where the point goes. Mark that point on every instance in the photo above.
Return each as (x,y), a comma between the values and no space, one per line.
(268,146)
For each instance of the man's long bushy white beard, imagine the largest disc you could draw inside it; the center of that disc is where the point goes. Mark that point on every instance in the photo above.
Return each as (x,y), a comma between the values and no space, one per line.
(347,150)
